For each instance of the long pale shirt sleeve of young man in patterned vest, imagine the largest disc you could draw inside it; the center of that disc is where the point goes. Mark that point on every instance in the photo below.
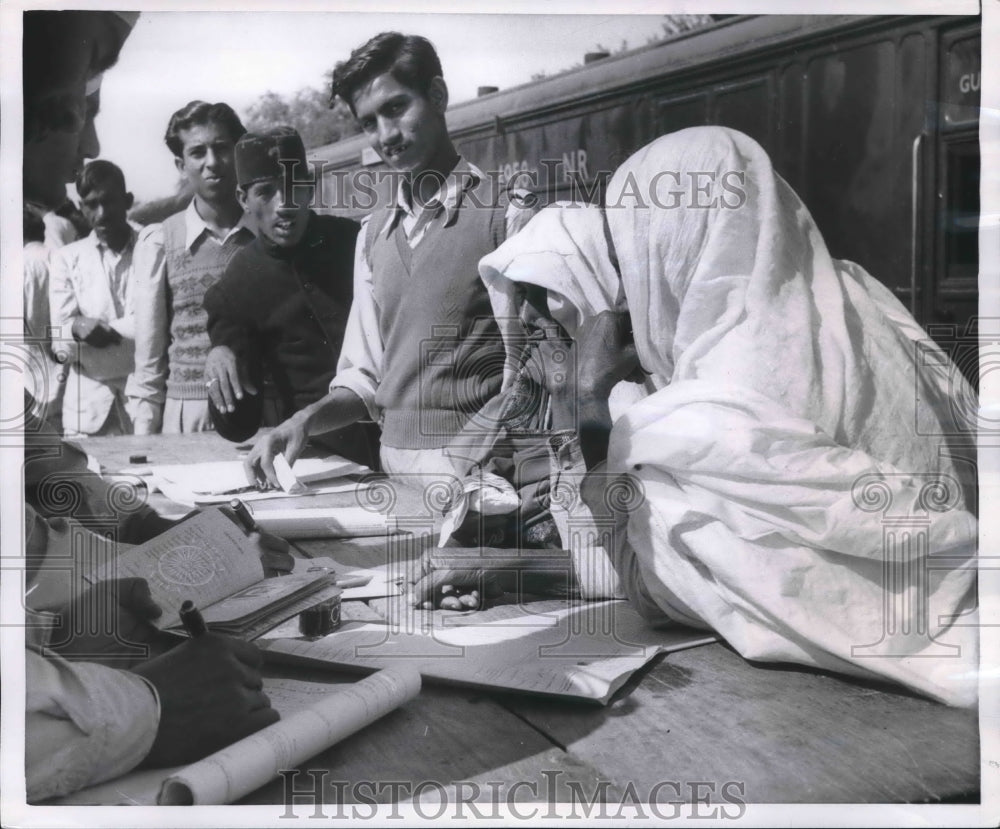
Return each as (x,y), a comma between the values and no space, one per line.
(146,387)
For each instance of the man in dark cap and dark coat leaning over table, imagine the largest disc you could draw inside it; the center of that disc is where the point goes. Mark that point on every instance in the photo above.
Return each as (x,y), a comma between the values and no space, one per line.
(279,312)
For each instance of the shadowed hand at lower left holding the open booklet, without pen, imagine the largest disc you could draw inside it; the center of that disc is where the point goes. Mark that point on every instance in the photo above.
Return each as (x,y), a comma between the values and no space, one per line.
(110,623)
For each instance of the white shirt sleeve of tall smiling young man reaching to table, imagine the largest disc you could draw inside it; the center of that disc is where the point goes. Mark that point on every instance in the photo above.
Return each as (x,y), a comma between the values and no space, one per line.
(360,366)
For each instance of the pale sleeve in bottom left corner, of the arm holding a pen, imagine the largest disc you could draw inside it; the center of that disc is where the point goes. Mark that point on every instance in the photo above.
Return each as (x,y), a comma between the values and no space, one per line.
(84,723)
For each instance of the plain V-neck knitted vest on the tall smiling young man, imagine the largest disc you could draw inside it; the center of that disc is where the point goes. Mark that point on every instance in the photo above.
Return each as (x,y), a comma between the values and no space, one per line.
(443,353)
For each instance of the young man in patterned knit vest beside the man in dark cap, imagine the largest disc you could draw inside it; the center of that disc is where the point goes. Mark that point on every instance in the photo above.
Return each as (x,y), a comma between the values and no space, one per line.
(175,264)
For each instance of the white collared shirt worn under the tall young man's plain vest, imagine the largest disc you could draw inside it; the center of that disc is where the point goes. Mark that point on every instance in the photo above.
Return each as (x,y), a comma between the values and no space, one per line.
(360,365)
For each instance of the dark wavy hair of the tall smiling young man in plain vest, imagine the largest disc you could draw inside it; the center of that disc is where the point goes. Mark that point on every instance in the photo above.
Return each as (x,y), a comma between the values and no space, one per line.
(410,59)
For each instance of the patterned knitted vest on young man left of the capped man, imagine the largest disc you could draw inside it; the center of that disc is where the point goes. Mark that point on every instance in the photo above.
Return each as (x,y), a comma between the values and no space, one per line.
(189,273)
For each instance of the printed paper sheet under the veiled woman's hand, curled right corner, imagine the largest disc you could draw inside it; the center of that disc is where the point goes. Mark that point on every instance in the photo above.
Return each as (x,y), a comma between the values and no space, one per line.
(569,649)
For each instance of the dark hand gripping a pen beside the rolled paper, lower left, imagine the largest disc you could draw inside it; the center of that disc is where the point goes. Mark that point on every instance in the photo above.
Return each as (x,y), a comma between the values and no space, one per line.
(211,695)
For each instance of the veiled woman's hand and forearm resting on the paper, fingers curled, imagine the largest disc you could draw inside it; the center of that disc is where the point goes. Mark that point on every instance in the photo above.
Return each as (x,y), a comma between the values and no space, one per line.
(456,578)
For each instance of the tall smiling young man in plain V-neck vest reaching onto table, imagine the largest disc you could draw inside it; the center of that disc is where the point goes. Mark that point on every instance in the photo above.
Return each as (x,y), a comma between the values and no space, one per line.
(422,353)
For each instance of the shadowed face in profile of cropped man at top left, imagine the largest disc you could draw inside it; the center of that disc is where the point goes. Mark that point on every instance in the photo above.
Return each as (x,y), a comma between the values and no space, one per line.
(54,157)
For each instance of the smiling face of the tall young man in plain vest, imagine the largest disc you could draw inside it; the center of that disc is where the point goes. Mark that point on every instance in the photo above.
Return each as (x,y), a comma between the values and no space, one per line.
(406,128)
